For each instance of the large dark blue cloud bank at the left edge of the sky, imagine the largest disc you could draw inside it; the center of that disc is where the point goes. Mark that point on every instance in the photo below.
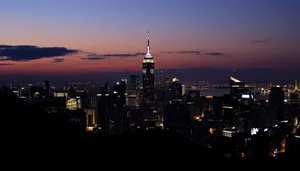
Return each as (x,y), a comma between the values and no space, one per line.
(28,52)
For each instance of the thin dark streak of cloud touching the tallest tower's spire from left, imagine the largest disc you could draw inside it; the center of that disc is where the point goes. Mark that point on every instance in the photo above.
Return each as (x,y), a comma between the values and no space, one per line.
(94,56)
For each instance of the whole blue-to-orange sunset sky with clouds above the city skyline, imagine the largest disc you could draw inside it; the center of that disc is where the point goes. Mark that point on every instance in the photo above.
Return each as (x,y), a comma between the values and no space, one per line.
(101,36)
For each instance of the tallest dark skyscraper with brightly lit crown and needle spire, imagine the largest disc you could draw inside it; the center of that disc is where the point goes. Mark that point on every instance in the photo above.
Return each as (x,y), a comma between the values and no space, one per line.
(148,86)
